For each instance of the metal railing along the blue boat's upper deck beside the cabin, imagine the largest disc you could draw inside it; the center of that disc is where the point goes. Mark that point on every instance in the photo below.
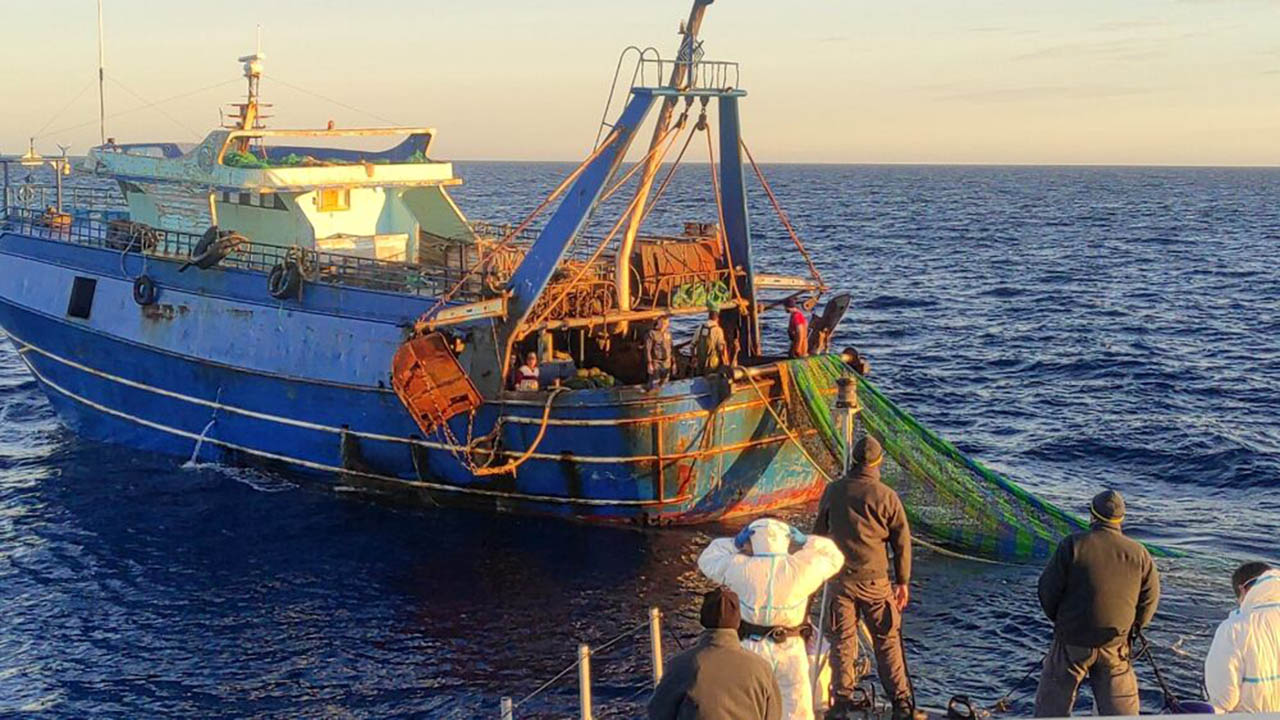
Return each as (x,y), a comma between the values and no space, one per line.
(332,268)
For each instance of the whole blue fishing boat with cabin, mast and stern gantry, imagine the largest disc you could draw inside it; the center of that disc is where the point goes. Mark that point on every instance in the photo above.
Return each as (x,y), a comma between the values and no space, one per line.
(303,302)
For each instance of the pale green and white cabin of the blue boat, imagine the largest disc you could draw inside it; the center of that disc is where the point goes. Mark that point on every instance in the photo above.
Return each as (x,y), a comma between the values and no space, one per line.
(294,188)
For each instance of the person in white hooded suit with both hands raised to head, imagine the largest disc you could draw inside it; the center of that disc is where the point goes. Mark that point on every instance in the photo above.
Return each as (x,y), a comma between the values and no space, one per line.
(774,586)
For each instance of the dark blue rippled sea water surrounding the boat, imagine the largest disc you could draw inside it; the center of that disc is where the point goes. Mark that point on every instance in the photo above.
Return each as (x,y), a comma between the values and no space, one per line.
(1069,327)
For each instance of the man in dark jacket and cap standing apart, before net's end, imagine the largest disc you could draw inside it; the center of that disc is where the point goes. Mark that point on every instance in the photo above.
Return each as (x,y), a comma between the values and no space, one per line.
(1099,589)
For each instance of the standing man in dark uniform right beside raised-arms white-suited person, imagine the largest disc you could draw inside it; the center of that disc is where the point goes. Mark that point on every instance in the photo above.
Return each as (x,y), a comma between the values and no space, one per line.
(865,516)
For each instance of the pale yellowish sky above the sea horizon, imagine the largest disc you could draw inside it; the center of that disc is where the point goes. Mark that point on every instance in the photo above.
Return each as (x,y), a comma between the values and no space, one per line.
(1167,83)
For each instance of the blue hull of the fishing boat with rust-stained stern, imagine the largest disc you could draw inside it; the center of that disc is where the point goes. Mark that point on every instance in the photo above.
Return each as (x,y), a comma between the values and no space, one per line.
(304,388)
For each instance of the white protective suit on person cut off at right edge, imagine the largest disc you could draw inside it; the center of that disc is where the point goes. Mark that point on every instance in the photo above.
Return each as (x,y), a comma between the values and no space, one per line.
(1242,671)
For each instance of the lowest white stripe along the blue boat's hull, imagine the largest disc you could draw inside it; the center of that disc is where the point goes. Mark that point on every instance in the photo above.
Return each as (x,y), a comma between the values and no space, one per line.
(344,471)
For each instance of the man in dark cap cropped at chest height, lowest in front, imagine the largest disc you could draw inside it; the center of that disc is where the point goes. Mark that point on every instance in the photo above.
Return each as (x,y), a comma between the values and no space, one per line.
(717,680)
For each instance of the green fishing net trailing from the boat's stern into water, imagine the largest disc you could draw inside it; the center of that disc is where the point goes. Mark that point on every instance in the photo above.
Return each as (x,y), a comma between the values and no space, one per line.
(952,500)
